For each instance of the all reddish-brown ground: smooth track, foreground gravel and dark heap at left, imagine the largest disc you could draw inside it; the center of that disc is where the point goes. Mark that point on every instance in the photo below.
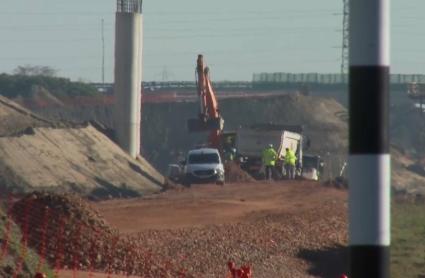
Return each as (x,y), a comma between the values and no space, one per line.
(280,229)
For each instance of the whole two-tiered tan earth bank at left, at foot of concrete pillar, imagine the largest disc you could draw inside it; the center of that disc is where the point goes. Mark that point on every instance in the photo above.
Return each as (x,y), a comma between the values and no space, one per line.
(36,154)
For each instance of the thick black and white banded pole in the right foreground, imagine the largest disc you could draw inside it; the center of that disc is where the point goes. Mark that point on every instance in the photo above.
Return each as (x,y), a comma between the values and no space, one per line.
(369,158)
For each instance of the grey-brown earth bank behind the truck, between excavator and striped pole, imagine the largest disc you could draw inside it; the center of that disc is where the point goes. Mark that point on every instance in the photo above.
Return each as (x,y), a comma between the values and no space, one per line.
(324,119)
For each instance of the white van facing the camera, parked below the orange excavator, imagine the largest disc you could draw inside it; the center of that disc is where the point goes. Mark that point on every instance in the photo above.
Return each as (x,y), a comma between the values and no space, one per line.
(202,166)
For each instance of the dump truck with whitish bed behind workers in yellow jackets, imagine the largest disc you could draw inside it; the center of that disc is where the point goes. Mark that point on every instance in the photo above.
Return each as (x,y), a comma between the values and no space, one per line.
(250,143)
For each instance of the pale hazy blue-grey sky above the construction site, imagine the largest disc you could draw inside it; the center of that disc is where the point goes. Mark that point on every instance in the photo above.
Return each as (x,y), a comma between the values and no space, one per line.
(237,37)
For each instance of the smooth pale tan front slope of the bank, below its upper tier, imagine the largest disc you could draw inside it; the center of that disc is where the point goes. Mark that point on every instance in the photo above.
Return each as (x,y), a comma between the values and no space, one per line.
(82,159)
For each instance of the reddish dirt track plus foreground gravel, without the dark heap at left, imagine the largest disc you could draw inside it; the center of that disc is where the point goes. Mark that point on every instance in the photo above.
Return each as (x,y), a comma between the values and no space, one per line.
(282,229)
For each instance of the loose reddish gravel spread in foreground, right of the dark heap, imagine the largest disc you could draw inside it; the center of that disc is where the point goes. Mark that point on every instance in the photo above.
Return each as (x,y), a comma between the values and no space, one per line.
(279,245)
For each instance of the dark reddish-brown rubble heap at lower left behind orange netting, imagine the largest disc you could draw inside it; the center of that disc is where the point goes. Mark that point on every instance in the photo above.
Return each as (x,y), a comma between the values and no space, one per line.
(71,235)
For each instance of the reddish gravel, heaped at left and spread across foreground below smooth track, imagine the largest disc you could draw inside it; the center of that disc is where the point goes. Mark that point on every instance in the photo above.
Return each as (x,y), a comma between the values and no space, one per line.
(274,245)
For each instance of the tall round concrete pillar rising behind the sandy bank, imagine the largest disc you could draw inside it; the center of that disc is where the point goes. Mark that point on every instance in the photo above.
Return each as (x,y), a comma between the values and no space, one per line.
(128,75)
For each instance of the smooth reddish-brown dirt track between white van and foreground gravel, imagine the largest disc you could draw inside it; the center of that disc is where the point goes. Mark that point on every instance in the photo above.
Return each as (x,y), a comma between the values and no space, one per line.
(210,204)
